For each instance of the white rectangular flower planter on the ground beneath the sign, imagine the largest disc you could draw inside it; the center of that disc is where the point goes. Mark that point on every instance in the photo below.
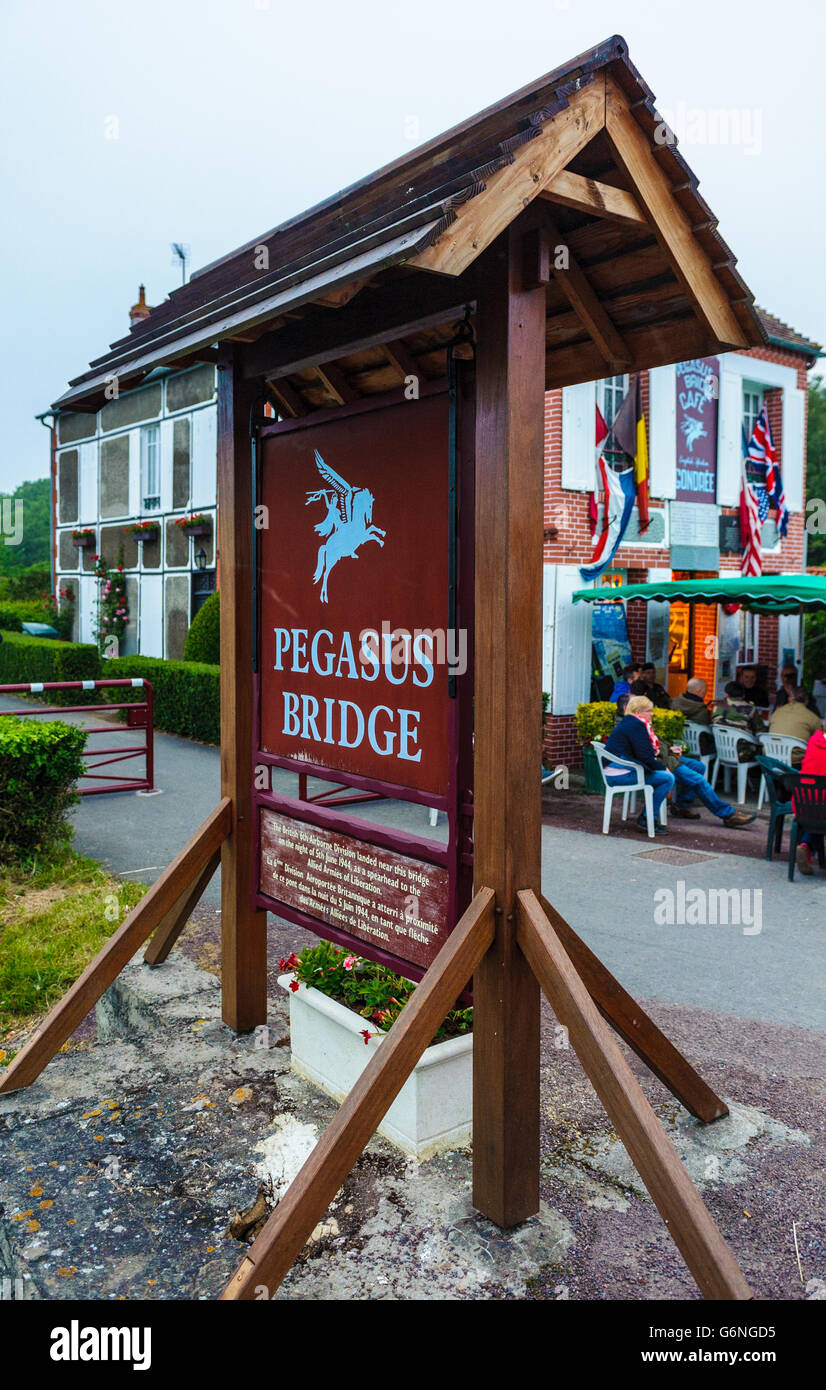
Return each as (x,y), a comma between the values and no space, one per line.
(432,1114)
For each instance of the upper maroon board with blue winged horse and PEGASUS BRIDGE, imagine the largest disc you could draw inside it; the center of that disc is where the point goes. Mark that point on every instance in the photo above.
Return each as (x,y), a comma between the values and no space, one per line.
(354,589)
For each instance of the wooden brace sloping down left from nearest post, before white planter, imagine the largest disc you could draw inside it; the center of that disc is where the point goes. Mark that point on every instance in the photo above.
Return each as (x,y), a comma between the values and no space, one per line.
(311,1193)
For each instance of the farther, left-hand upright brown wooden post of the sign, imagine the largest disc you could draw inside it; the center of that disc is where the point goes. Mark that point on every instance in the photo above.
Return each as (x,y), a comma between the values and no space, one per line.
(244,931)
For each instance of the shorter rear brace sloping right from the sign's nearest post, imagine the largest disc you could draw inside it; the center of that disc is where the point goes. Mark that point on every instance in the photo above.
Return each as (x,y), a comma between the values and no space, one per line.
(636,1028)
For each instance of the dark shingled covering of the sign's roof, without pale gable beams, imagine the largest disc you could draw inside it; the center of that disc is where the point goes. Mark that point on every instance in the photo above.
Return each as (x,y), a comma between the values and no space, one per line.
(371,234)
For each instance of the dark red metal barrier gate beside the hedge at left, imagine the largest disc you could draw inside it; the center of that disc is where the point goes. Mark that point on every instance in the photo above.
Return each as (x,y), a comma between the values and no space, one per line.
(140,715)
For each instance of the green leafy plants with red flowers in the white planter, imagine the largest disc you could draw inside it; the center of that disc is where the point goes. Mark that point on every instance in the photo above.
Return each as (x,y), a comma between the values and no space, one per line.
(365,988)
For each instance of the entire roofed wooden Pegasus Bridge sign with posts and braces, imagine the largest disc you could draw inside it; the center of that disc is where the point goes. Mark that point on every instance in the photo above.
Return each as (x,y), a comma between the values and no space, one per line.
(423,509)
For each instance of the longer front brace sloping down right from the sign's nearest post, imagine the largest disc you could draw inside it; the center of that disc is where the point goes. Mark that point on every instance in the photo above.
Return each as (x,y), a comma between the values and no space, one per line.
(681,1206)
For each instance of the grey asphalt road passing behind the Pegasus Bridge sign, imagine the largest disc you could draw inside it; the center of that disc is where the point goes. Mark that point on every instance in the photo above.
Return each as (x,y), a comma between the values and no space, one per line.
(607,888)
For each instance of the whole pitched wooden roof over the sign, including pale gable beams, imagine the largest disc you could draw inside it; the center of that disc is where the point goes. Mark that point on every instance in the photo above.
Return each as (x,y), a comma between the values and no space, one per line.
(647,279)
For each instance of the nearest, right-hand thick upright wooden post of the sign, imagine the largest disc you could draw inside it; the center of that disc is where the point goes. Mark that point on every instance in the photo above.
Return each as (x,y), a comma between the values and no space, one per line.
(508,755)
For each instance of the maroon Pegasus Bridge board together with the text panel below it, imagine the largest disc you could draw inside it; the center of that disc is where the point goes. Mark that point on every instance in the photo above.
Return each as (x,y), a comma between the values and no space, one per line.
(355,655)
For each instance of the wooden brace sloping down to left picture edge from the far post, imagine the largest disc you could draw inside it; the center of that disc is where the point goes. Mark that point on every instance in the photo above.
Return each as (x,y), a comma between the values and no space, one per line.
(166,892)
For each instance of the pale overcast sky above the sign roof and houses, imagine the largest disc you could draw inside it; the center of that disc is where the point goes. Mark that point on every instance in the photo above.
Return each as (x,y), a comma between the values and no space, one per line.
(129,126)
